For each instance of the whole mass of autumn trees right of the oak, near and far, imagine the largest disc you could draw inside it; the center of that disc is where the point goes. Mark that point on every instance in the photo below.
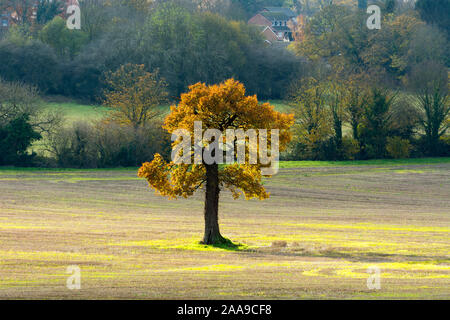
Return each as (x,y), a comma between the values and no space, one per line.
(374,93)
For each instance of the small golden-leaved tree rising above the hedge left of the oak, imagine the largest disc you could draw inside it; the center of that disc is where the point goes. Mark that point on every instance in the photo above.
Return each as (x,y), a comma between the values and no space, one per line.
(135,95)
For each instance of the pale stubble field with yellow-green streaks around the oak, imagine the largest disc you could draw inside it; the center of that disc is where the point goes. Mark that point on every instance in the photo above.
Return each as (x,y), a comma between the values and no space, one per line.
(323,226)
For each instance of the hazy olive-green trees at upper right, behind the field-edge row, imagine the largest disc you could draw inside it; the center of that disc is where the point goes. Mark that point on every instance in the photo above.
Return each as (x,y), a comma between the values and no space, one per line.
(338,37)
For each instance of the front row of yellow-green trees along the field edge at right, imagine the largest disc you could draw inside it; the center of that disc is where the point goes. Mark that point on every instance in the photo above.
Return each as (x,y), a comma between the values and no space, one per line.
(338,120)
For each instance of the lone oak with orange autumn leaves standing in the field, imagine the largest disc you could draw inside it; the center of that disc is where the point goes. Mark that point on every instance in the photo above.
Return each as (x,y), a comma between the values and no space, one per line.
(224,106)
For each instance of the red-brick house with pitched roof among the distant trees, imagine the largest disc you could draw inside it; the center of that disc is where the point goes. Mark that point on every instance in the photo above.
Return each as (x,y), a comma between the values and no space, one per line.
(276,23)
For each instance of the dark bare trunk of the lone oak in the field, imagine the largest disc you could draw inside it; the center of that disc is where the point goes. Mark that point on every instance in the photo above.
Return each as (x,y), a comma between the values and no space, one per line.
(212,233)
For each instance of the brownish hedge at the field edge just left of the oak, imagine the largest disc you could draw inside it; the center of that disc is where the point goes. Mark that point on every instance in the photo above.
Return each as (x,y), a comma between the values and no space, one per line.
(101,145)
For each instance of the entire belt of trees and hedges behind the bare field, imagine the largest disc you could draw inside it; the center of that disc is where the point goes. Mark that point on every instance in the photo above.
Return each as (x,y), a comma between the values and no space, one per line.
(341,111)
